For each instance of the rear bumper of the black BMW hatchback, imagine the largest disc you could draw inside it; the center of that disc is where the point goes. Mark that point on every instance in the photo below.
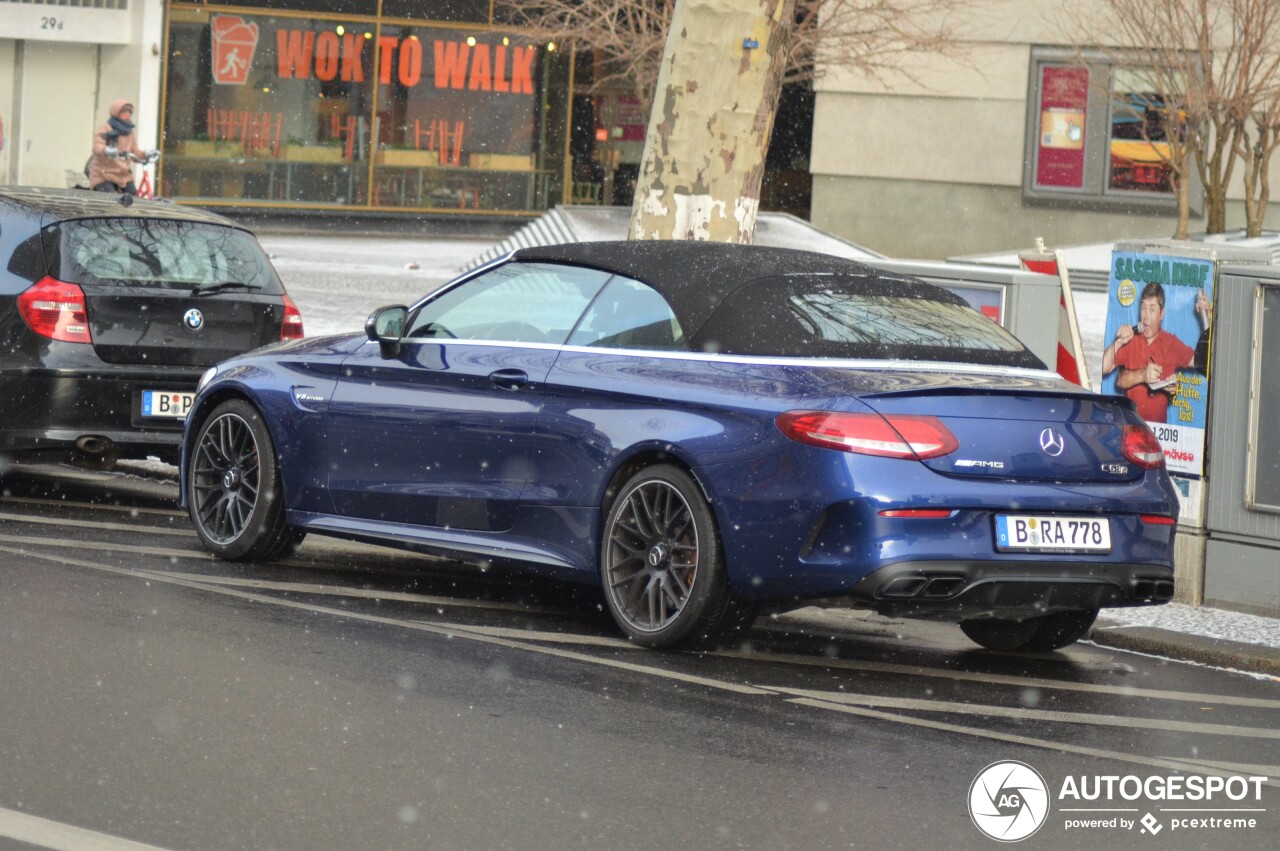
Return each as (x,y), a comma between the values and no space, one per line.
(54,411)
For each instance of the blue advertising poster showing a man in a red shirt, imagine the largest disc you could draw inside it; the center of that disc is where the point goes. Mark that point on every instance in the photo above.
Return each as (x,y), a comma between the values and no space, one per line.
(1159,319)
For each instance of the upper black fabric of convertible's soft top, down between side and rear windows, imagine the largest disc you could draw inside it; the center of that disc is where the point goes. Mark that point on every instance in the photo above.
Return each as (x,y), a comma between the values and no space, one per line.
(697,277)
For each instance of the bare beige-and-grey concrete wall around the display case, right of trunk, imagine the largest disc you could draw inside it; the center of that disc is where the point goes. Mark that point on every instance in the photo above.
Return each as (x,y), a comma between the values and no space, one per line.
(930,163)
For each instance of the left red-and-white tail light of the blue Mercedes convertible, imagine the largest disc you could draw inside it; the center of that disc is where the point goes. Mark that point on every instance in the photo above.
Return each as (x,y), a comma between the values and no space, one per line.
(871,434)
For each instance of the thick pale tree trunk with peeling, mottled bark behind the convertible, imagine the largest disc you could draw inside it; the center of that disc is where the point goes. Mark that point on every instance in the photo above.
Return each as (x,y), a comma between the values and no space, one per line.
(711,122)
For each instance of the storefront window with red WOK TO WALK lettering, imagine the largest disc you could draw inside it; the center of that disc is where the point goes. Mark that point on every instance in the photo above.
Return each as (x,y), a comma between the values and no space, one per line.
(290,111)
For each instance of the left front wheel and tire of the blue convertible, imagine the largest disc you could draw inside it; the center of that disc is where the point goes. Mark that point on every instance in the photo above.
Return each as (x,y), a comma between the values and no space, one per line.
(234,488)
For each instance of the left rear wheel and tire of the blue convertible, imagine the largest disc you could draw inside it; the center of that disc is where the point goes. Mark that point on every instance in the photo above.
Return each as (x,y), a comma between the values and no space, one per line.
(662,565)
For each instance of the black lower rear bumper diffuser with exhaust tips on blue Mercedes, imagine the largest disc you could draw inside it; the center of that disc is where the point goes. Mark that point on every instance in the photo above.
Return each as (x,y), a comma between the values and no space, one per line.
(964,591)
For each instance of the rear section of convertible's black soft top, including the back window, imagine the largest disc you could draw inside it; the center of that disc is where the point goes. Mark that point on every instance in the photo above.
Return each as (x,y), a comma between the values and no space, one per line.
(857,318)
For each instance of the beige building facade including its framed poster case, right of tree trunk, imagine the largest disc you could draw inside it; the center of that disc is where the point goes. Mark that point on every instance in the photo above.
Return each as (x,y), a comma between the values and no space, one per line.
(1012,140)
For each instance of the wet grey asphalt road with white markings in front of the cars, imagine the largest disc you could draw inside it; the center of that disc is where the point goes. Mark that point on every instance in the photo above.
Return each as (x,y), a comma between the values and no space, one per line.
(362,698)
